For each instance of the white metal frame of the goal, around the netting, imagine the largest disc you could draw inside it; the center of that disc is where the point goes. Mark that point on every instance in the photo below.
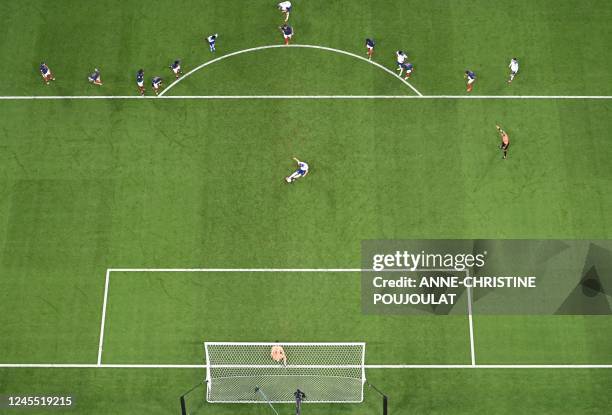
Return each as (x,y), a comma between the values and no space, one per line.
(209,380)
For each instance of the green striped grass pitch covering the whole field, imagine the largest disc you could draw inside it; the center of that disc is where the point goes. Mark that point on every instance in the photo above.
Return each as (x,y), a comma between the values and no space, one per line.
(87,185)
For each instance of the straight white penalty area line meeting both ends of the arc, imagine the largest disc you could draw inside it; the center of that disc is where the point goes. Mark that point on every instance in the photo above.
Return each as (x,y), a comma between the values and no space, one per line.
(304,97)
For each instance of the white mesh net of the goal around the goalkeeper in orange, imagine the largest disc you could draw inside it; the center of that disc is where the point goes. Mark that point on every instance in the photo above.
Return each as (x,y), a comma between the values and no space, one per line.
(325,372)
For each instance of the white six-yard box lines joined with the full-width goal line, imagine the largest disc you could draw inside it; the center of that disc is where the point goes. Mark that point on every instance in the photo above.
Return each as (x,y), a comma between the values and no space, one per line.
(473,364)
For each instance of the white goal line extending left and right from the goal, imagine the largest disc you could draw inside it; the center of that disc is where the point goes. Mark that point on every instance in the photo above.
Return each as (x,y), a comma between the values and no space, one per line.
(202,366)
